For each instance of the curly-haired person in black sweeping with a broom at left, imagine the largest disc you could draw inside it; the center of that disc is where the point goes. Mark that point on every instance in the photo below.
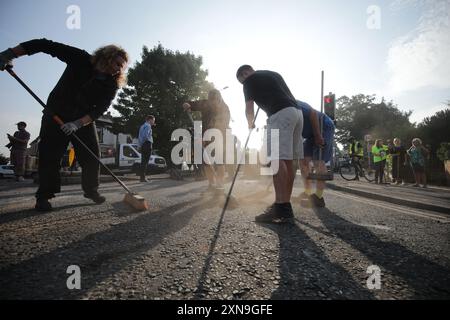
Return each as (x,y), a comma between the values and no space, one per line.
(83,93)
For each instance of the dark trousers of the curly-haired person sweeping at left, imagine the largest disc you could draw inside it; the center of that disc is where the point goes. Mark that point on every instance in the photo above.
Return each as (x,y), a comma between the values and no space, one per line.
(52,147)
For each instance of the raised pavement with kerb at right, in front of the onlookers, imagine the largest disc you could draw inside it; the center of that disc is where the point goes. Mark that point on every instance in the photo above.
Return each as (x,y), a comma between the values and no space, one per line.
(432,198)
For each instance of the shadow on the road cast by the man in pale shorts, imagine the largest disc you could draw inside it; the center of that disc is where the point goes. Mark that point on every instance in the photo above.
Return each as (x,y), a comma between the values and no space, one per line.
(306,272)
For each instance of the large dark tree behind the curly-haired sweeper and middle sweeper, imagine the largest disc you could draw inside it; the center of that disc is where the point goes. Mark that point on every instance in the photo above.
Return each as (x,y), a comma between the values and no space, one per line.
(158,85)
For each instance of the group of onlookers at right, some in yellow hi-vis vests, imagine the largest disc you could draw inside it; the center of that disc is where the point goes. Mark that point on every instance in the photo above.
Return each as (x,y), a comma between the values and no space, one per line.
(393,161)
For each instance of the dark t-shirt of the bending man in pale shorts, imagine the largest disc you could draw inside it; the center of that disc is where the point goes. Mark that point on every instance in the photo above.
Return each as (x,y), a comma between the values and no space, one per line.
(269,91)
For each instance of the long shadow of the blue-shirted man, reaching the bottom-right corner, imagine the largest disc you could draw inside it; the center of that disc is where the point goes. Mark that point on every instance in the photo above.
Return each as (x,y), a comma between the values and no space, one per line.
(428,279)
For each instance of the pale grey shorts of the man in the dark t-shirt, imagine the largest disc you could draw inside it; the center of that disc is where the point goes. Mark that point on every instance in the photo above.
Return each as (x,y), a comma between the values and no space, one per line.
(289,122)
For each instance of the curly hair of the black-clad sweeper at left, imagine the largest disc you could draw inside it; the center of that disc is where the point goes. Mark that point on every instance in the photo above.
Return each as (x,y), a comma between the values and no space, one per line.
(104,56)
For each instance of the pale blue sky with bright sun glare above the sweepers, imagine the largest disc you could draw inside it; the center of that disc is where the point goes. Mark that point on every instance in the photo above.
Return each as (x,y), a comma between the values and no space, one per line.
(397,49)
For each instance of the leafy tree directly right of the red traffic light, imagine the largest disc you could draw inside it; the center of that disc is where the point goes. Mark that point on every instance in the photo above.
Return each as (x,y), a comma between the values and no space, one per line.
(361,115)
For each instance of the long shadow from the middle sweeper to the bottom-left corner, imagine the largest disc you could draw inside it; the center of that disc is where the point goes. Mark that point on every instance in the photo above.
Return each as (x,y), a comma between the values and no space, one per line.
(99,255)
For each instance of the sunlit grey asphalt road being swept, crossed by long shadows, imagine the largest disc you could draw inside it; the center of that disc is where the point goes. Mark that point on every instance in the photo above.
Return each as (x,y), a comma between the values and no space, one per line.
(183,248)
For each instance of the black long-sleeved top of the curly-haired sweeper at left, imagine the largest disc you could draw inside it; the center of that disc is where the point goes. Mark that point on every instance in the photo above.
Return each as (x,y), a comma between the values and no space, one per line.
(81,90)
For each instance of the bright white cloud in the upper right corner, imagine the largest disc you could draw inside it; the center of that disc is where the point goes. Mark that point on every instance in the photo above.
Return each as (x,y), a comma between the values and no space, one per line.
(420,58)
